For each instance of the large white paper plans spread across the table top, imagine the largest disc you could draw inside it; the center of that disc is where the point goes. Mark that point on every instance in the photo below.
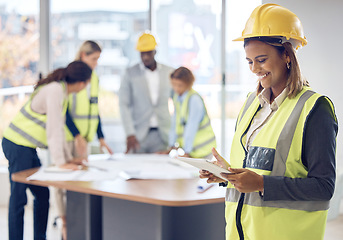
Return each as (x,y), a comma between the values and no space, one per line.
(127,166)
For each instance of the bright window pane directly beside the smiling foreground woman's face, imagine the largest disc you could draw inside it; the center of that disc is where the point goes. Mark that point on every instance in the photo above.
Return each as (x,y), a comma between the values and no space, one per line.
(239,79)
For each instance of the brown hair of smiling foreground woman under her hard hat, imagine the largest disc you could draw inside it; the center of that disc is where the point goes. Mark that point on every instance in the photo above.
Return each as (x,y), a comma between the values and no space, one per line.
(295,81)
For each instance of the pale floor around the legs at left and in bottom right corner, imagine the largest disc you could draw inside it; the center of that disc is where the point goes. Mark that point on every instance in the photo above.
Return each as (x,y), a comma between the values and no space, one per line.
(334,229)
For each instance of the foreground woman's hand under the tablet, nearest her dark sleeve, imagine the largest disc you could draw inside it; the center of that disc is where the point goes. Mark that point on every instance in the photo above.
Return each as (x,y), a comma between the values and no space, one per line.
(244,180)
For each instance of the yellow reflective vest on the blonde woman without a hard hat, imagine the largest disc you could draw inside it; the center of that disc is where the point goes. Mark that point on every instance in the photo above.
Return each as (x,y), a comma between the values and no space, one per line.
(83,108)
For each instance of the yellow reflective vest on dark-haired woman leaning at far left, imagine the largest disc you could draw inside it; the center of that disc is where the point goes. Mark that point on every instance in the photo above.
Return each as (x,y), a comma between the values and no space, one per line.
(28,128)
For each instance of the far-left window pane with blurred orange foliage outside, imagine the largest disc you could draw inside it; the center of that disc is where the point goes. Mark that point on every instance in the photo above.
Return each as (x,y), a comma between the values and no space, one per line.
(19,56)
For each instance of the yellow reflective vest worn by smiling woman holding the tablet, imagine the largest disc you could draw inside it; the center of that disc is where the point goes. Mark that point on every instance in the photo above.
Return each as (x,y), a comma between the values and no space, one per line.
(276,151)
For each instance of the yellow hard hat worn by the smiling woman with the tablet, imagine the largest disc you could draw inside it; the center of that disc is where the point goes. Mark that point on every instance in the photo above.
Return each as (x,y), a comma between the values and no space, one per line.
(272,20)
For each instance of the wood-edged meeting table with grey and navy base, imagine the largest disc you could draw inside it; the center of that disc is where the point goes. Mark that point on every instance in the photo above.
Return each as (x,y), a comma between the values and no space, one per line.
(139,209)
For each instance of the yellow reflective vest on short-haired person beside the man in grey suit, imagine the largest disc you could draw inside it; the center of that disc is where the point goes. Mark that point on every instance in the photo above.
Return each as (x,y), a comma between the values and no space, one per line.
(204,139)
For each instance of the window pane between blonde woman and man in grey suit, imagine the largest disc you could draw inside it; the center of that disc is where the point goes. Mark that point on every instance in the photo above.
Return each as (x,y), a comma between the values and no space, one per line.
(115,25)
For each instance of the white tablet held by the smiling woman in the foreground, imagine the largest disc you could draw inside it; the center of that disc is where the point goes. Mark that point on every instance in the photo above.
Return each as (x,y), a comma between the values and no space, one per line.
(204,164)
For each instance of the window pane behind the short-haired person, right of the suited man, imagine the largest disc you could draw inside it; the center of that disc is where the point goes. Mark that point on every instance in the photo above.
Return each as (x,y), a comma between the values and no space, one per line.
(189,35)
